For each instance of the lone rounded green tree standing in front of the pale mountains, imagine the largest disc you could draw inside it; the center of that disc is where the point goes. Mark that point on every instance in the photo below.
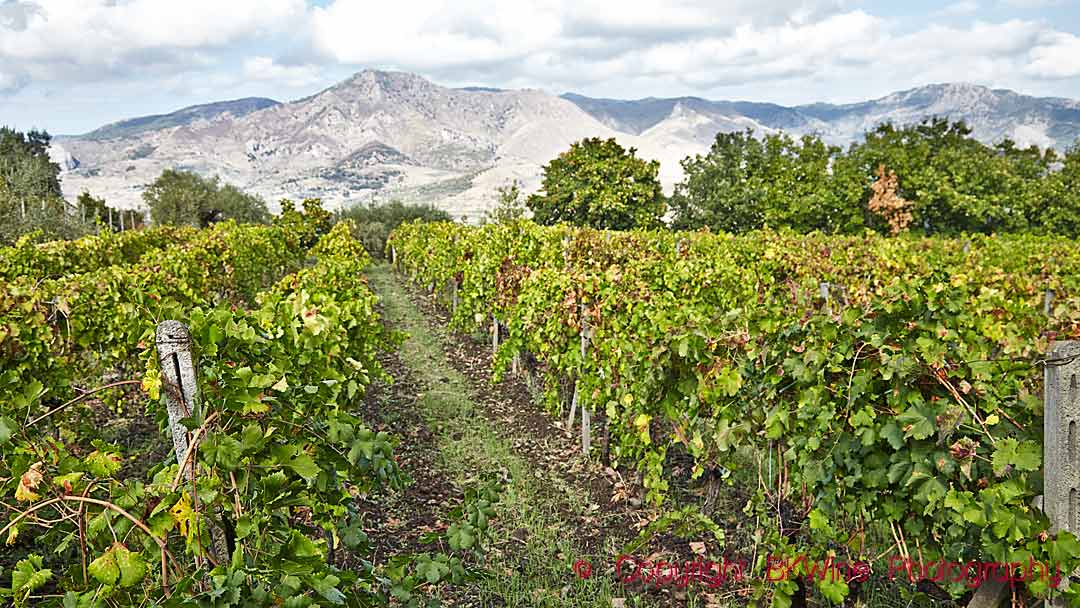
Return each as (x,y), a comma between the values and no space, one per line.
(598,183)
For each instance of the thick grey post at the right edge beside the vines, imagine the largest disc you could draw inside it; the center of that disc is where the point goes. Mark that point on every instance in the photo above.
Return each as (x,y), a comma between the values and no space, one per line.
(1061,467)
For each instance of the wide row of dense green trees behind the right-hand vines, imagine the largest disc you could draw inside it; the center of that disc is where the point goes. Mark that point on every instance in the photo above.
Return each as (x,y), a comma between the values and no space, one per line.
(955,184)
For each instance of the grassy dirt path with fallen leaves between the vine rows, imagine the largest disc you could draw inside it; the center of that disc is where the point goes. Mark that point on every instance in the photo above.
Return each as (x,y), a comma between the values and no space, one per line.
(574,509)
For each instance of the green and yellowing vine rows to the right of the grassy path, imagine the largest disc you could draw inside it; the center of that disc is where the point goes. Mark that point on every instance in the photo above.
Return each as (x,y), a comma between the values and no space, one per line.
(884,396)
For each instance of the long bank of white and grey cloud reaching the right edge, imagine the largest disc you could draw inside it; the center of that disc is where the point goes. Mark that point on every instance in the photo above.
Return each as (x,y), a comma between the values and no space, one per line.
(686,47)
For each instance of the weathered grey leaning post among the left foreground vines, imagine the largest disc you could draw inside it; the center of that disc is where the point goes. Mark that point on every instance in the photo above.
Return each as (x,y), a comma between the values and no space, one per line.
(182,398)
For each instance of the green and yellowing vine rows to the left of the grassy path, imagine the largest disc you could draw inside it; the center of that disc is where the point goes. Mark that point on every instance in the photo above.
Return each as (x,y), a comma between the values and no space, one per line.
(287,332)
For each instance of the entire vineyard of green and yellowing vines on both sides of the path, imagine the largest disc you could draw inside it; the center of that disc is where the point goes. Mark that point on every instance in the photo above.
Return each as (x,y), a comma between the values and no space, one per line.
(798,397)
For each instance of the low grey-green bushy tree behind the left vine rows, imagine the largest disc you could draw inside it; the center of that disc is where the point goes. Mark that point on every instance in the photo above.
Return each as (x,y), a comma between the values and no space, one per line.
(186,199)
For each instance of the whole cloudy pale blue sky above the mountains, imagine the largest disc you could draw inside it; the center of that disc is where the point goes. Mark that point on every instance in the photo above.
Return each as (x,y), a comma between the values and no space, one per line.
(73,65)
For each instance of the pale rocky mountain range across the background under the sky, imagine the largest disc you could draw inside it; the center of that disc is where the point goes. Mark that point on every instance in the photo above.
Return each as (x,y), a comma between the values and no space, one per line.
(383,134)
